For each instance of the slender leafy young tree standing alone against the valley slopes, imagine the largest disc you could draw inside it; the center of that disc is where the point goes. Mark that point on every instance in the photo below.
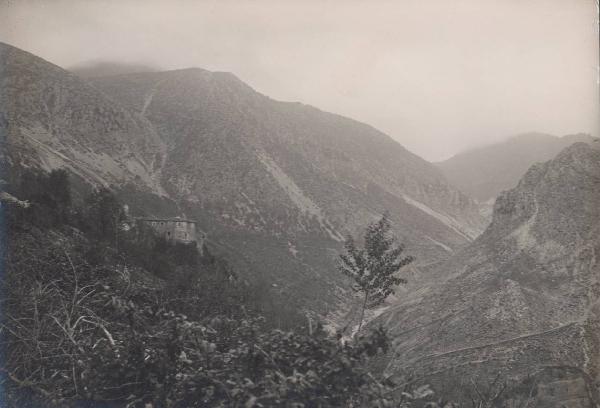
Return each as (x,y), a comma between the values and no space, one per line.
(373,267)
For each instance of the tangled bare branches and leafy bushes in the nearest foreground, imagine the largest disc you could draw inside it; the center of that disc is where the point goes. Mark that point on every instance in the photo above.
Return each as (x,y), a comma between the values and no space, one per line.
(74,331)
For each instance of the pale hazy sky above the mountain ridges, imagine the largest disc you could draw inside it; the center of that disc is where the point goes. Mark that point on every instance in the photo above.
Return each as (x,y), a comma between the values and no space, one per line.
(439,76)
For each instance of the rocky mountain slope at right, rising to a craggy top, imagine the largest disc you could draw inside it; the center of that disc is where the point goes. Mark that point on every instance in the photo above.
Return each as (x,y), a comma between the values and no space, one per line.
(523,300)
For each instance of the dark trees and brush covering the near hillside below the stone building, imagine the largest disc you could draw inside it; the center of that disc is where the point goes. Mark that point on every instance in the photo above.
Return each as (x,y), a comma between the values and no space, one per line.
(84,320)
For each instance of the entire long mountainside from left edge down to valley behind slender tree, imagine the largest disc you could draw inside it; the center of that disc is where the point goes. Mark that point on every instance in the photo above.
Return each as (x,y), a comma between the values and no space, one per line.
(275,185)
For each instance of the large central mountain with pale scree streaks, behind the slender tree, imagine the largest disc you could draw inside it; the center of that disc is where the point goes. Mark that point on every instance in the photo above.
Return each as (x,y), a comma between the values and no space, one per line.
(278,185)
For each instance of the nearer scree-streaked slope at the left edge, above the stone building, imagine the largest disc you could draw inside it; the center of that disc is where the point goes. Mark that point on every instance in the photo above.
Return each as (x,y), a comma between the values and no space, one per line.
(51,118)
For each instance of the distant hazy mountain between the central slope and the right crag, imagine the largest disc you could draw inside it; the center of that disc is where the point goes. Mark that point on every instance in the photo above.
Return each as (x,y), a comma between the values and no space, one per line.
(483,173)
